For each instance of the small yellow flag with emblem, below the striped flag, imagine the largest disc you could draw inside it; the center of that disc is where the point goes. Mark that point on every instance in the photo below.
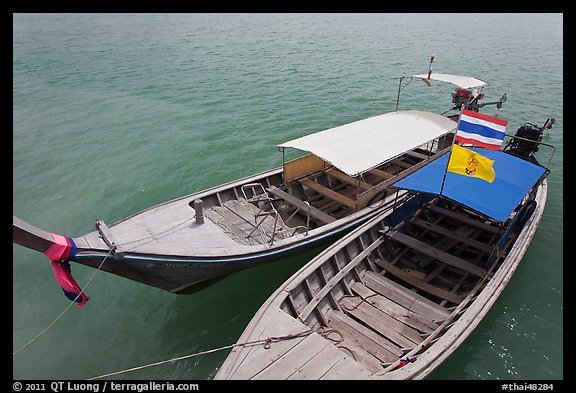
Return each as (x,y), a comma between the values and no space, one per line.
(469,163)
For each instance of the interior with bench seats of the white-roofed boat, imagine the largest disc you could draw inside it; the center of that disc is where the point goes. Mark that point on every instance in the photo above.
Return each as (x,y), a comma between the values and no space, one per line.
(307,194)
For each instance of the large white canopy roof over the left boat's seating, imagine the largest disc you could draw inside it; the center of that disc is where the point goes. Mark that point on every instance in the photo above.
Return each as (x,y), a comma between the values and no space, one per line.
(362,145)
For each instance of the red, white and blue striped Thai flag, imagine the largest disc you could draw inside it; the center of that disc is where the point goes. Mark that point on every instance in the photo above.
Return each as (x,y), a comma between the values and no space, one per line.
(481,130)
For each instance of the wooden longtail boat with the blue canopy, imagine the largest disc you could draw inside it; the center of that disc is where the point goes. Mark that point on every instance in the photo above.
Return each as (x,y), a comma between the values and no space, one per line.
(396,296)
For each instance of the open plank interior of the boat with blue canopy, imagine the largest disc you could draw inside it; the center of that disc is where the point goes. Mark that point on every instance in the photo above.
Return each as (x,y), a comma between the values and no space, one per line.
(392,286)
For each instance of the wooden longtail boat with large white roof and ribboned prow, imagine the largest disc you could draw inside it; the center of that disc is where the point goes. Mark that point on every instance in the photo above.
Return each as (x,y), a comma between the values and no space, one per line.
(187,243)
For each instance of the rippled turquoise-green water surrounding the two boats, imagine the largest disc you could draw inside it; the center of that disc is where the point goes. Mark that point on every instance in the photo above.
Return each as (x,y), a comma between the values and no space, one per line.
(115,113)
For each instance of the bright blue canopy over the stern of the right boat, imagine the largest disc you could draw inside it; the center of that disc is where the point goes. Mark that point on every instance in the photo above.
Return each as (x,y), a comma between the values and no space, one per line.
(514,179)
